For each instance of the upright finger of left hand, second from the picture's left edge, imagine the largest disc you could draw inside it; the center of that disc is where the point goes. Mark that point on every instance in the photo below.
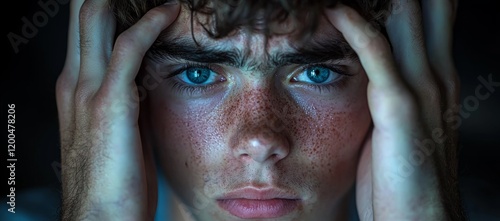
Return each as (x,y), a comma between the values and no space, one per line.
(97,28)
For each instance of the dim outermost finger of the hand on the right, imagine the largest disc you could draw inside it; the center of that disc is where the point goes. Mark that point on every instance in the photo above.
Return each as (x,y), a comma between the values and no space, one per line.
(439,17)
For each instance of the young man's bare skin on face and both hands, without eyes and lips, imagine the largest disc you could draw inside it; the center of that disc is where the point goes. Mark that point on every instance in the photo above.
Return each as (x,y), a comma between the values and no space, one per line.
(107,163)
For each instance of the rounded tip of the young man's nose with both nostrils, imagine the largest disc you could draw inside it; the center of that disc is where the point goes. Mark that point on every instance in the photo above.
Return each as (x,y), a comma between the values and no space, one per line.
(261,145)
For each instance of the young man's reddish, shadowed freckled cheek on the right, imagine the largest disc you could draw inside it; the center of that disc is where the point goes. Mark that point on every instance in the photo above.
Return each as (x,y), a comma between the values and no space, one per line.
(331,141)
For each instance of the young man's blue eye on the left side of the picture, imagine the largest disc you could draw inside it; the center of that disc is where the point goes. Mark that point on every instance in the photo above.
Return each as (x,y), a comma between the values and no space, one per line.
(198,76)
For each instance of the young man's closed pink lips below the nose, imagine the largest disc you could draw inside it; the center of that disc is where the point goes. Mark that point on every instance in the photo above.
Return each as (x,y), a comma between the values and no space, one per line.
(254,203)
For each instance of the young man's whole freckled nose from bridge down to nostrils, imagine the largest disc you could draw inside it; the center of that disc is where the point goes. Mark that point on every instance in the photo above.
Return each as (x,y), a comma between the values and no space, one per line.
(261,135)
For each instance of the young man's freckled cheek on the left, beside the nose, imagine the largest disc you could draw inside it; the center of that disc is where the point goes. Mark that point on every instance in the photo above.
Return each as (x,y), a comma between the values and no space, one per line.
(186,140)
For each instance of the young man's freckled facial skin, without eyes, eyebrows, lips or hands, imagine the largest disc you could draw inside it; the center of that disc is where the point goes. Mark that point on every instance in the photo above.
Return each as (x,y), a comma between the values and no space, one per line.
(260,129)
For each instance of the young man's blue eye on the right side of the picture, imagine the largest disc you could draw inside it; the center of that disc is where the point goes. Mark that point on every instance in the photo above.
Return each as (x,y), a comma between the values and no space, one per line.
(317,75)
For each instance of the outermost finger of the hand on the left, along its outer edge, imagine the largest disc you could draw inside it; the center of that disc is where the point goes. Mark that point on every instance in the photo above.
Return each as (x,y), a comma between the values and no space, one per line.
(66,82)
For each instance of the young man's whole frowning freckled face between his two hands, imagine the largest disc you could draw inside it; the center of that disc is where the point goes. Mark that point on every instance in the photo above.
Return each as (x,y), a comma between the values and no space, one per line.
(280,127)
